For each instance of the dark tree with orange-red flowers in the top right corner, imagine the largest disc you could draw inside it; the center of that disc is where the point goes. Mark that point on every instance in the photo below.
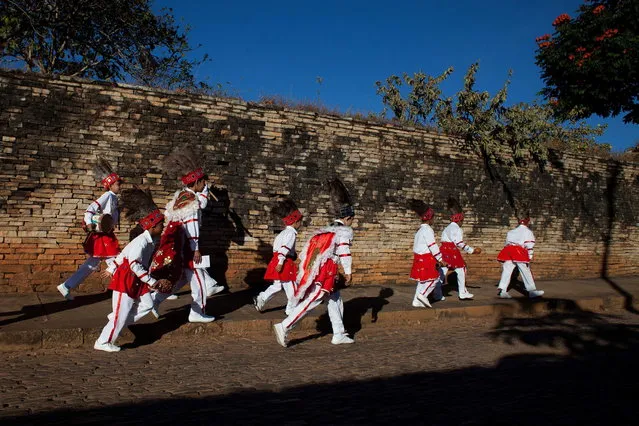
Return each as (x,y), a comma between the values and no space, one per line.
(590,64)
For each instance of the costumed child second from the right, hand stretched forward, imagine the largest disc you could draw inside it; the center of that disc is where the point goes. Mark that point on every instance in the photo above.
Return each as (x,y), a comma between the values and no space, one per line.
(452,242)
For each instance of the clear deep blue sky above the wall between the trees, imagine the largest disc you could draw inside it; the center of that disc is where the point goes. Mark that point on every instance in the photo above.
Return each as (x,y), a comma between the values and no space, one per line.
(280,48)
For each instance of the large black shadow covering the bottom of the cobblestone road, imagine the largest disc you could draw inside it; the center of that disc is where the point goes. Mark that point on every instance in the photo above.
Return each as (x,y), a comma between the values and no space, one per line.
(592,383)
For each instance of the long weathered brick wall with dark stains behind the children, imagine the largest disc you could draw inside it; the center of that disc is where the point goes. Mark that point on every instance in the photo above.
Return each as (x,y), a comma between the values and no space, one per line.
(52,130)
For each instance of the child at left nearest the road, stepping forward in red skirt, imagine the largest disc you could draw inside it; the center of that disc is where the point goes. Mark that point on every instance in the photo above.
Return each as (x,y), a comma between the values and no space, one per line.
(131,282)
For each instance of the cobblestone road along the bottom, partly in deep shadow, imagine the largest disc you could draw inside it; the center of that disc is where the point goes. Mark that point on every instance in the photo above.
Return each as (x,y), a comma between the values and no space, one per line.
(560,369)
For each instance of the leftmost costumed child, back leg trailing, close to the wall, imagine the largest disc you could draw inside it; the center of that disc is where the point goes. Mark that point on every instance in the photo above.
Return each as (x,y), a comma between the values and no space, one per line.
(98,245)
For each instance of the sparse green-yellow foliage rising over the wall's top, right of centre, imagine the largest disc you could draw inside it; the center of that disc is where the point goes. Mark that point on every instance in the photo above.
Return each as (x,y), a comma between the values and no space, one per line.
(508,136)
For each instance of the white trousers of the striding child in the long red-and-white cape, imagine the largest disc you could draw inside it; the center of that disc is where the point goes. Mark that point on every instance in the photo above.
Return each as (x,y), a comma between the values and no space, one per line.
(335,307)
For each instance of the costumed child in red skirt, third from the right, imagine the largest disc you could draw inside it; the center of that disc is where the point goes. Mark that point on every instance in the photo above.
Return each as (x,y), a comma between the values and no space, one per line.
(426,260)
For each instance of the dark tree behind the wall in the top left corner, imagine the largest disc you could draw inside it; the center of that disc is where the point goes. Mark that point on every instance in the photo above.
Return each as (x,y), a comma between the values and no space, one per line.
(114,40)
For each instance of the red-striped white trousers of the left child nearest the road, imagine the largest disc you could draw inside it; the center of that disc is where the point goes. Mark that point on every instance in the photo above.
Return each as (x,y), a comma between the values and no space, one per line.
(126,310)
